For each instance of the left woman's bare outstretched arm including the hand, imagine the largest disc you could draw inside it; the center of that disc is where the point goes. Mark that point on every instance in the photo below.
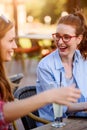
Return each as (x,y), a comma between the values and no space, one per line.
(22,107)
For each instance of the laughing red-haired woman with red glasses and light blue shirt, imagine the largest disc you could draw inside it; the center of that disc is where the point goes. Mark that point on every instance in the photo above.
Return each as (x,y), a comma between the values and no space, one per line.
(70,58)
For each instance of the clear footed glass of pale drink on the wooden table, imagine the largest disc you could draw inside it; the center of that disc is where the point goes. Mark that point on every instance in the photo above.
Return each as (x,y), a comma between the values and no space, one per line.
(58,116)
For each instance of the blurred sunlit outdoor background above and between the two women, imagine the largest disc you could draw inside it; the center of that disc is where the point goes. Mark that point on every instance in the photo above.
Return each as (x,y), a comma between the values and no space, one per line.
(35,21)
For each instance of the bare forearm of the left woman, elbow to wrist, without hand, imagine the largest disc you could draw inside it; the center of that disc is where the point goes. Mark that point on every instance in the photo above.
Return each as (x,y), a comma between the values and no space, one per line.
(20,108)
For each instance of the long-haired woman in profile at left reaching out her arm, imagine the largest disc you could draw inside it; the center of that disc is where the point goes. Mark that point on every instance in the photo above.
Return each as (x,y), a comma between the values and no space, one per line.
(10,109)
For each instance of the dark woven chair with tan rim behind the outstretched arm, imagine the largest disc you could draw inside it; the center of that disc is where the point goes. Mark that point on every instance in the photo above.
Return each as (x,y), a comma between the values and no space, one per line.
(29,121)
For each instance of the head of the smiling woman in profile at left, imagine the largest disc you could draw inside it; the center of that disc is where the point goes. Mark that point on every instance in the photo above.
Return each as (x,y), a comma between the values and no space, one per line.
(7,40)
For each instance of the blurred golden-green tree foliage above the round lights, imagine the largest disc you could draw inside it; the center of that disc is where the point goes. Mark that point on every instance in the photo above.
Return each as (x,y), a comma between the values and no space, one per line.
(41,8)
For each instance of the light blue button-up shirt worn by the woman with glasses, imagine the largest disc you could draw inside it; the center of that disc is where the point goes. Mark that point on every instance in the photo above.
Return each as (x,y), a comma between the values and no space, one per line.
(48,71)
